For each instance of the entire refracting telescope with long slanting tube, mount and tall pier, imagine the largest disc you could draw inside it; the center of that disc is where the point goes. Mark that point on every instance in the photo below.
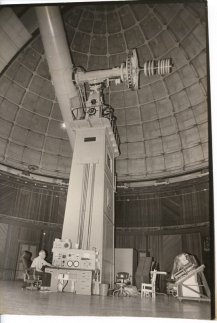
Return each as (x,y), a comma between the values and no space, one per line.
(91,128)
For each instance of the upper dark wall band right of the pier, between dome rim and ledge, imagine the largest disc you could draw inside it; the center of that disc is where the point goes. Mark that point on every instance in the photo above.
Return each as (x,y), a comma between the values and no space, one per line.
(184,203)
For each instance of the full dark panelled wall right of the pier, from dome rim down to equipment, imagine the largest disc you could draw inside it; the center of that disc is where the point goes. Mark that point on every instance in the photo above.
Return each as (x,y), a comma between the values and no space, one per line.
(167,220)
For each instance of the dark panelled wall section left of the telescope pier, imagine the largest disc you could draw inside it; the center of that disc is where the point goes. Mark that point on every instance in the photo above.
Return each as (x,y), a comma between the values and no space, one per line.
(31,215)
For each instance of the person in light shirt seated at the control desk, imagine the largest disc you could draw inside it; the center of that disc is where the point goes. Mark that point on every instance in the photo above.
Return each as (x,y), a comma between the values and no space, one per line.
(39,263)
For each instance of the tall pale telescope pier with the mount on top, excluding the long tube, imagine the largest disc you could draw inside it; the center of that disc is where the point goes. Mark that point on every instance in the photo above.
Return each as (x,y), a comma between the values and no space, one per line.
(89,214)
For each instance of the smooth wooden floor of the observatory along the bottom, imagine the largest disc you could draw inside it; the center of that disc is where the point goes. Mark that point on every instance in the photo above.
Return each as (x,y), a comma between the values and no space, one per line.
(14,300)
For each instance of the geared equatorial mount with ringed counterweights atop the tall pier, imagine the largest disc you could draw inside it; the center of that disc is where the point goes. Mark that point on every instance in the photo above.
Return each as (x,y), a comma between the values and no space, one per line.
(92,83)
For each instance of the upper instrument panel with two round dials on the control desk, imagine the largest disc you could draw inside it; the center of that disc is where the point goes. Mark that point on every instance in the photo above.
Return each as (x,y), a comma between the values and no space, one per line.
(66,257)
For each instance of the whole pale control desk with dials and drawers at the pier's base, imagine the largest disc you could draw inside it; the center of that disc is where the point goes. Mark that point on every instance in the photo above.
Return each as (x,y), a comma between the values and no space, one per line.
(75,270)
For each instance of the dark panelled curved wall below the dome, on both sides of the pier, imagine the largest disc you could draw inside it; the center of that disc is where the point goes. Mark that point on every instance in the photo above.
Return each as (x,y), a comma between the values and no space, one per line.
(148,219)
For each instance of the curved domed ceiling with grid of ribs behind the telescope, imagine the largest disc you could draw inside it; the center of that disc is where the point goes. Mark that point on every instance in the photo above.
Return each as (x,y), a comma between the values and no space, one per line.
(163,126)
